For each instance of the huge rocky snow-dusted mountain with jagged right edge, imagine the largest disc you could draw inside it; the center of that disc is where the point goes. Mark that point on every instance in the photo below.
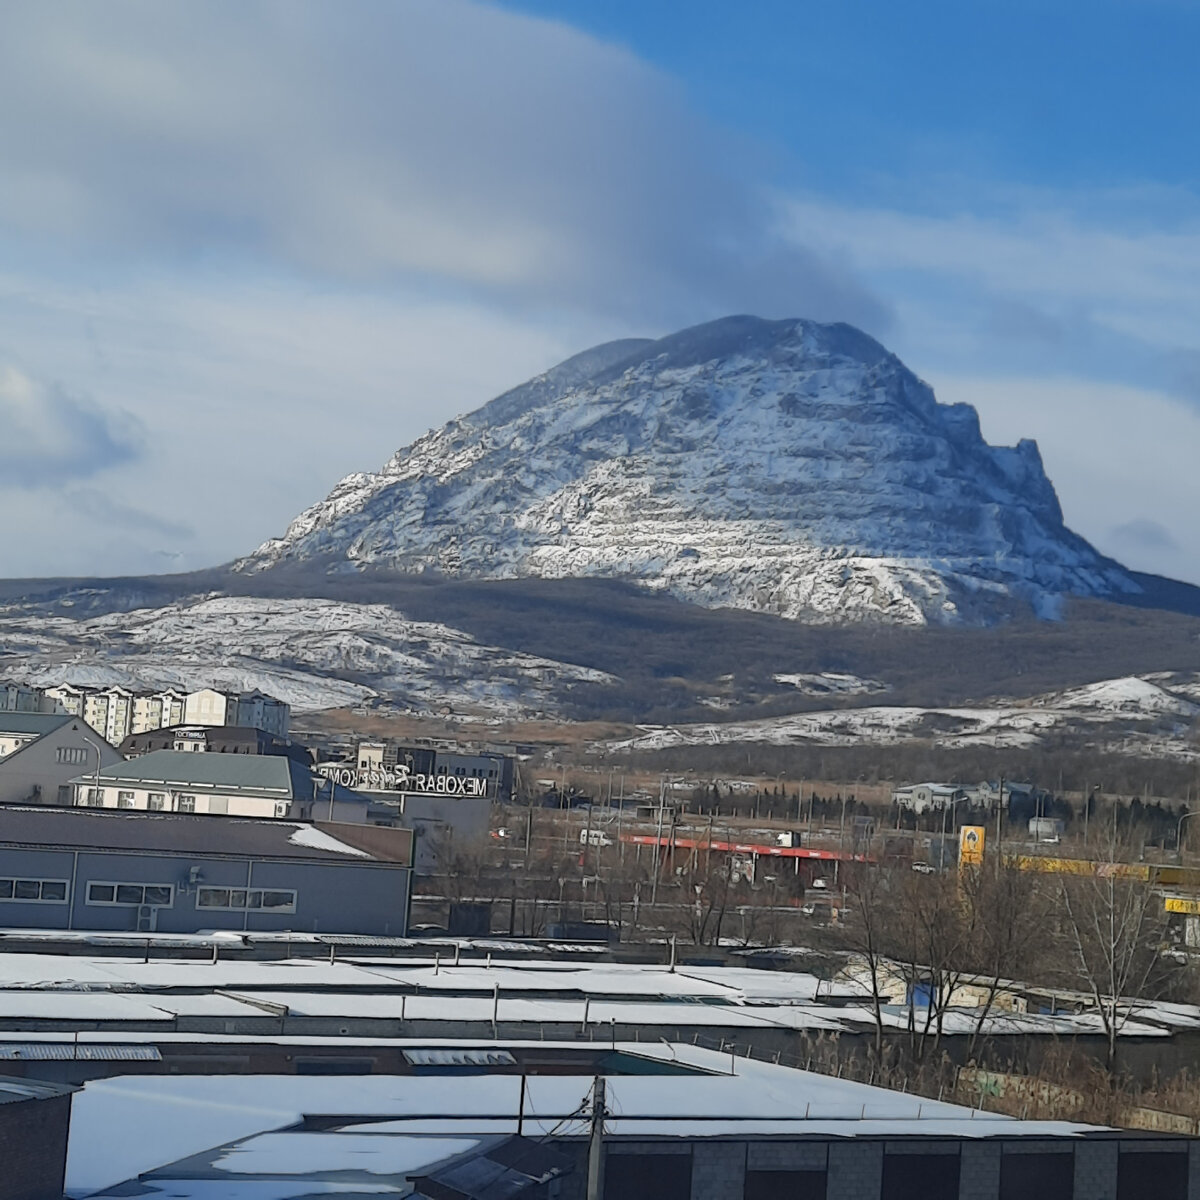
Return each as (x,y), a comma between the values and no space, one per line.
(785,466)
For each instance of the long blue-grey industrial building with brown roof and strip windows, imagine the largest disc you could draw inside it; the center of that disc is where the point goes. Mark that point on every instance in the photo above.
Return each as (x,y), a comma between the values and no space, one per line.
(82,869)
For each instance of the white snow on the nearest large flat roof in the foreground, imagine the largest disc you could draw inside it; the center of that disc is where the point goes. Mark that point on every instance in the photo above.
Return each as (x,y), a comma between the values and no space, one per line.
(182,1117)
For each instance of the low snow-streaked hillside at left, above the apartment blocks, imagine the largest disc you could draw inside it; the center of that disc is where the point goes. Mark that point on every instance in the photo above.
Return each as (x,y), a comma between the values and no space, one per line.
(314,655)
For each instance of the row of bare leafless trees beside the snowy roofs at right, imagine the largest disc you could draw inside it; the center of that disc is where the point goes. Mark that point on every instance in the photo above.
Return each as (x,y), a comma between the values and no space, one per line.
(1099,938)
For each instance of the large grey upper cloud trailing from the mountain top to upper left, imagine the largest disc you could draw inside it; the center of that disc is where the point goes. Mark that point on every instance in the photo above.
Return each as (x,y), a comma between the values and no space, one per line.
(445,140)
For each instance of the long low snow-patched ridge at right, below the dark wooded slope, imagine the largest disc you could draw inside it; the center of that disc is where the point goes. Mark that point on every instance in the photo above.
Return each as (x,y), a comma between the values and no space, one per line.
(1132,715)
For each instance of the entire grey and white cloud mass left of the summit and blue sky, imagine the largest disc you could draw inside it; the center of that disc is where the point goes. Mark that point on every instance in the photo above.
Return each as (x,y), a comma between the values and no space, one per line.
(291,237)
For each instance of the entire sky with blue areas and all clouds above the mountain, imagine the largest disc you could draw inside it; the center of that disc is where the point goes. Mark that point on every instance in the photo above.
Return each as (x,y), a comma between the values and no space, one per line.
(250,247)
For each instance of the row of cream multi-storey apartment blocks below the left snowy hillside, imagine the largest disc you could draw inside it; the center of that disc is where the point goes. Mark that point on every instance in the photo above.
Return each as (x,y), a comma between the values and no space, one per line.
(118,712)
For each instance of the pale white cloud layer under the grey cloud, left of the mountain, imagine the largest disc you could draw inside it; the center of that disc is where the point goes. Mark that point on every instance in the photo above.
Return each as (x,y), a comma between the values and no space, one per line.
(253,399)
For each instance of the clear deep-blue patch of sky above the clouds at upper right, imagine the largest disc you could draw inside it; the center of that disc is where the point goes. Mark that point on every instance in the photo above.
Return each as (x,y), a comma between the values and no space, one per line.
(1061,94)
